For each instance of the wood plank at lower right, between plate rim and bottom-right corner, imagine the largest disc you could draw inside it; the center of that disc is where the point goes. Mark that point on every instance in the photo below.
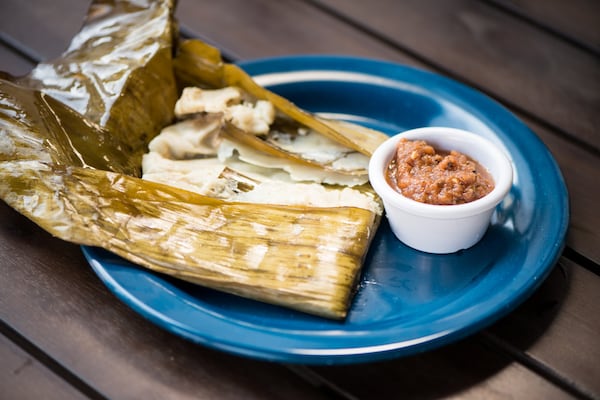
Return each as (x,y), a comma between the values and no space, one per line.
(554,327)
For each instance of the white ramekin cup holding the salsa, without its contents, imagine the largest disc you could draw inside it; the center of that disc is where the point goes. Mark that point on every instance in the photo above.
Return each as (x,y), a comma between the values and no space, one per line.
(441,228)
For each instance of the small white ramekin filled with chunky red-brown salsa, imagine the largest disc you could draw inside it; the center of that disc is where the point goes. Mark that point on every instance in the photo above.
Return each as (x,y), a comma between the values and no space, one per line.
(439,186)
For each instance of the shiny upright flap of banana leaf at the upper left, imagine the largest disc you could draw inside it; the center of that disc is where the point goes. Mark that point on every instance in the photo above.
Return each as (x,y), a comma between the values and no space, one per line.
(117,72)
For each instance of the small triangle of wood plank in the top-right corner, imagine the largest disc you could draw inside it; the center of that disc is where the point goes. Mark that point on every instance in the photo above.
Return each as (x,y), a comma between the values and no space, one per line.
(575,19)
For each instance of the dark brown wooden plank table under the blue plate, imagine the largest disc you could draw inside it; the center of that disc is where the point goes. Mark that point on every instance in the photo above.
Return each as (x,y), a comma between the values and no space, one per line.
(64,335)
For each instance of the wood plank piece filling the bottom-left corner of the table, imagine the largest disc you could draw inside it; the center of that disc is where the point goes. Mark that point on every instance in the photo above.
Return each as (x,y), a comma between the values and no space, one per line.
(24,377)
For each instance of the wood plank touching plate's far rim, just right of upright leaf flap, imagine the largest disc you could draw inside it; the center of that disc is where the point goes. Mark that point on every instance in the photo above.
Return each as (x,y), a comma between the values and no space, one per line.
(253,31)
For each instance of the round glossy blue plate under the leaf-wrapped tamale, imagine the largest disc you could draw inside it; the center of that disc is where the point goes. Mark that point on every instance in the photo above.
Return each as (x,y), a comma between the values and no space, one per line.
(408,301)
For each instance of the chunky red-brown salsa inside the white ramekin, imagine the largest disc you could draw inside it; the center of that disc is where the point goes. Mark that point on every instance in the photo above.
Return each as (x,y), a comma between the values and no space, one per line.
(423,174)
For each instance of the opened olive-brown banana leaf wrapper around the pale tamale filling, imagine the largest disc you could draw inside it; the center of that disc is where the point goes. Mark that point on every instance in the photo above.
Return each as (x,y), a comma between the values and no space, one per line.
(71,137)
